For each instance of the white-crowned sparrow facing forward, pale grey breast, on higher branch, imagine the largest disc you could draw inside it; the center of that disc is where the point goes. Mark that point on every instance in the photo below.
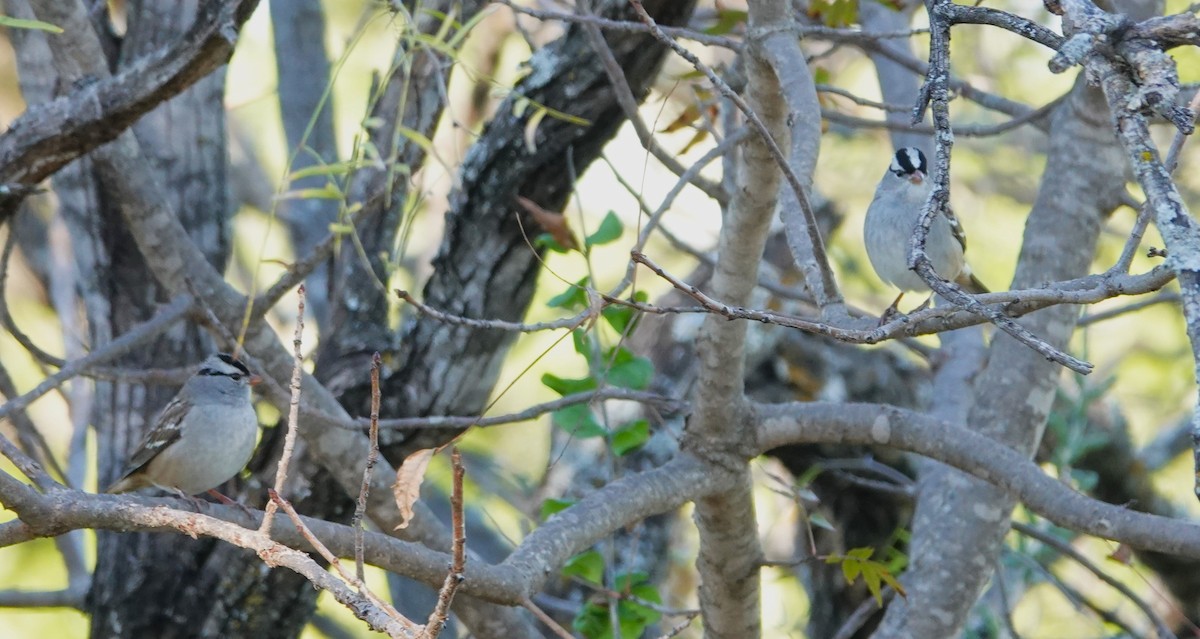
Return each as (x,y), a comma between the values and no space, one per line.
(892,219)
